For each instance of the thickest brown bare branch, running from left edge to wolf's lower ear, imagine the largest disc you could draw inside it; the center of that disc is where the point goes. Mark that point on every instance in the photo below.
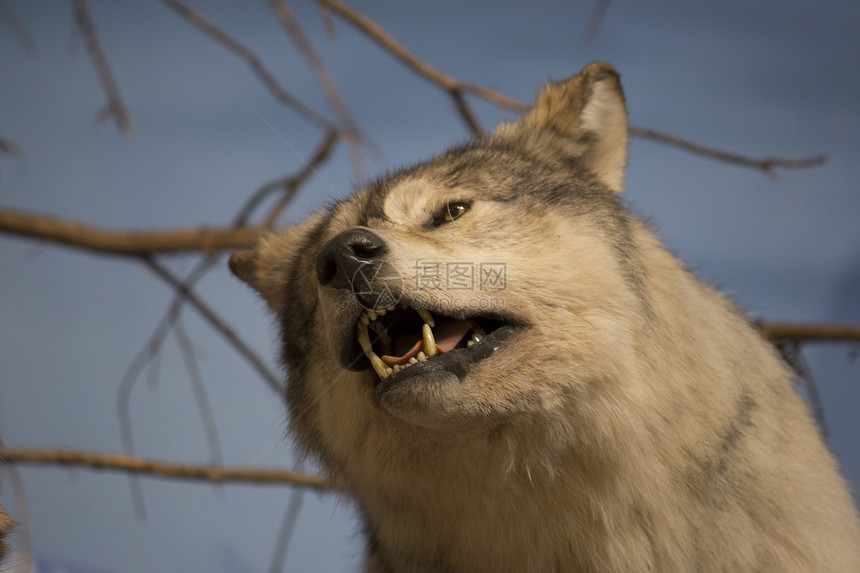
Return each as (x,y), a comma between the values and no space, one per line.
(129,243)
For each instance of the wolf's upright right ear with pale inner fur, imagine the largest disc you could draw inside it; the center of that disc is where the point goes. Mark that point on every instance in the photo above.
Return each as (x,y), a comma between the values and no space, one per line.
(589,108)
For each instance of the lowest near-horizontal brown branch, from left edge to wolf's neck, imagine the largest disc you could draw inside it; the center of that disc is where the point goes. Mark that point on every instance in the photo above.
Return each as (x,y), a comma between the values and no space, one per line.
(144,466)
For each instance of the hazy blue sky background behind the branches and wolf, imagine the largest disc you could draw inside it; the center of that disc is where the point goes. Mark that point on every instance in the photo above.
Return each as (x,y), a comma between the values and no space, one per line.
(764,79)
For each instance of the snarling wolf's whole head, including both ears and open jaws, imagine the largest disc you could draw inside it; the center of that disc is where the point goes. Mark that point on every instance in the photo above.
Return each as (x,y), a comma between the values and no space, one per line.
(435,297)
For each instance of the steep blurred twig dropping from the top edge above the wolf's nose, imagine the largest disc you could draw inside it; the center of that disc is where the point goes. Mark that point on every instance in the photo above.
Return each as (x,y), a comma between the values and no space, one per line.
(326,82)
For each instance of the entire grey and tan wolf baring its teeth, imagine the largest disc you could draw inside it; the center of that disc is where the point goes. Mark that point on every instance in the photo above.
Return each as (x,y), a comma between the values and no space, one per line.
(572,398)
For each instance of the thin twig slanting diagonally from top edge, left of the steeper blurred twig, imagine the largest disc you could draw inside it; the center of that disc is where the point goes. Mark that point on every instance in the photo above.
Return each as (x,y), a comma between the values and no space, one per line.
(253,62)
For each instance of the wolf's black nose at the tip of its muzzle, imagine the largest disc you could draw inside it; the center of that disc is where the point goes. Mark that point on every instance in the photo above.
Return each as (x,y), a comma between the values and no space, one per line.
(340,259)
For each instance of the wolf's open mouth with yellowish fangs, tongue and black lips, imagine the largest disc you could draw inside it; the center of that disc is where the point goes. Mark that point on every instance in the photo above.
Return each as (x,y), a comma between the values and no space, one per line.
(401,341)
